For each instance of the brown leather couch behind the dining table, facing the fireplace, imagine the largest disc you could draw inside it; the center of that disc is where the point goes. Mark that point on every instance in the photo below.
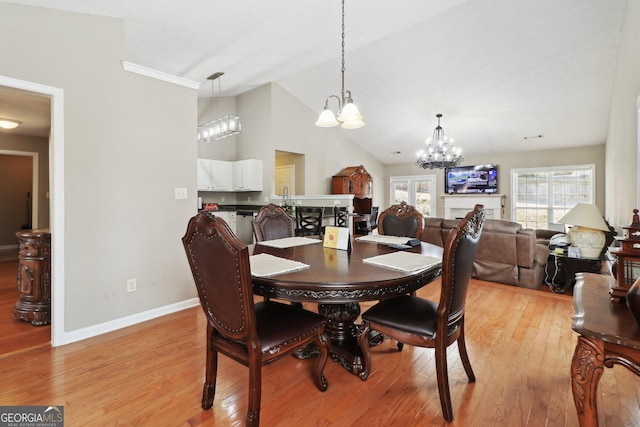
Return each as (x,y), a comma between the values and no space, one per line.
(507,253)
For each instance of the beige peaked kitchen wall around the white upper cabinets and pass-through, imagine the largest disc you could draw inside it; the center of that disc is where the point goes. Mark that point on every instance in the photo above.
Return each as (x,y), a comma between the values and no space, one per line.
(272,119)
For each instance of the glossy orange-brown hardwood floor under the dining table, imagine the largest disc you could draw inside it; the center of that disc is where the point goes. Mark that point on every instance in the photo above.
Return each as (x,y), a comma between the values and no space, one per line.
(520,343)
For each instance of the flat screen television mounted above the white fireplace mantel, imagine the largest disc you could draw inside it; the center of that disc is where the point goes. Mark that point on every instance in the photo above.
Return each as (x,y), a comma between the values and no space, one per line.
(471,179)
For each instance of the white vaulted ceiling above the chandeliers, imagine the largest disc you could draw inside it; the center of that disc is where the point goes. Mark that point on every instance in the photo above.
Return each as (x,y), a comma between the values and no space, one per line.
(498,70)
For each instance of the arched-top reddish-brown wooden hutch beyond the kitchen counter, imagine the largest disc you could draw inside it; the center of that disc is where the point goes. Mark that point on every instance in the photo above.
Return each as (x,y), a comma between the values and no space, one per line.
(357,181)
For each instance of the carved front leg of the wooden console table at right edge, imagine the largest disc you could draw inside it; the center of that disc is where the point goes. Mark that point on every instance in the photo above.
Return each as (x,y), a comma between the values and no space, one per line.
(586,369)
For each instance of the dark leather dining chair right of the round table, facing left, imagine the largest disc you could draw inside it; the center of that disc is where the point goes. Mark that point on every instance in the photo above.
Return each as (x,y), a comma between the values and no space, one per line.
(424,323)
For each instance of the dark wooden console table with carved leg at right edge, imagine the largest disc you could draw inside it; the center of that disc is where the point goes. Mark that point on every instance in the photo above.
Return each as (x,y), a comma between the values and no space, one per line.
(609,335)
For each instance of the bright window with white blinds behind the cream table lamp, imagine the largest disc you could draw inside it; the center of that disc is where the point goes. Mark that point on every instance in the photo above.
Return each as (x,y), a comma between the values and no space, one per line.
(541,196)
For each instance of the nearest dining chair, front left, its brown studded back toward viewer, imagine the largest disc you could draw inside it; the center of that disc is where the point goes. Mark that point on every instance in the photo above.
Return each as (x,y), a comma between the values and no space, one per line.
(251,333)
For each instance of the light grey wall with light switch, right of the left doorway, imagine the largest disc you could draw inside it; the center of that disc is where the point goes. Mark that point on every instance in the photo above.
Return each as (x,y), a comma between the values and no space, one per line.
(129,141)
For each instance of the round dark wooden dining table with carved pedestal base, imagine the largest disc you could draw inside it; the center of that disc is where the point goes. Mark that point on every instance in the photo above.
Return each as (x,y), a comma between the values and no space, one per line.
(338,280)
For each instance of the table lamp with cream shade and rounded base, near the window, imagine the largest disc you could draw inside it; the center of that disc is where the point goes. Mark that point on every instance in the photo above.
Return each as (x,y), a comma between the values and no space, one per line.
(587,233)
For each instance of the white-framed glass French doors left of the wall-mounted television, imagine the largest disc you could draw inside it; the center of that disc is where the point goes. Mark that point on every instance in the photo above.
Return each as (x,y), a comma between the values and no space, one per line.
(418,191)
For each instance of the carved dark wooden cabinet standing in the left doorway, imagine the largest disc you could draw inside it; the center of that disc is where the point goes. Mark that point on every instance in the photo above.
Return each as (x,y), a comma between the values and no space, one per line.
(34,277)
